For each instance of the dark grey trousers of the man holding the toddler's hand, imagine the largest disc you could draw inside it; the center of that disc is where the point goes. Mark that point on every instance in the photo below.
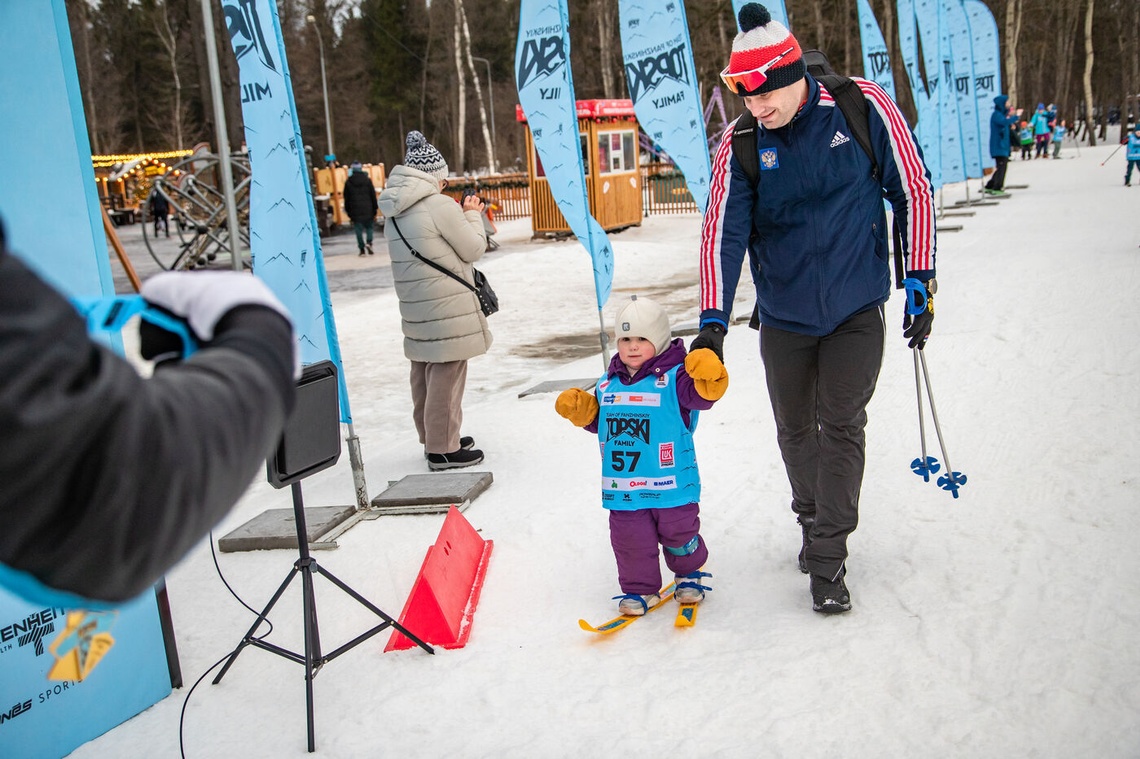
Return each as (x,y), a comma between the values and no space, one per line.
(820,388)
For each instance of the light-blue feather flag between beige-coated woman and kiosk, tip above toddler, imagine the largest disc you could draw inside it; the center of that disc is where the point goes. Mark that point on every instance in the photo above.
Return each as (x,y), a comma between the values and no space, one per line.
(547,95)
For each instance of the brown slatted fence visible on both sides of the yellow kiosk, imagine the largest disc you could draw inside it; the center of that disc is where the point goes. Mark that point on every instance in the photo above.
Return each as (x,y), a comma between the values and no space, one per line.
(664,191)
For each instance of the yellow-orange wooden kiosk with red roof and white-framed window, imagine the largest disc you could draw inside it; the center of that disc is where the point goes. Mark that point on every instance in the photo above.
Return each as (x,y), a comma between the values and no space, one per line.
(608,130)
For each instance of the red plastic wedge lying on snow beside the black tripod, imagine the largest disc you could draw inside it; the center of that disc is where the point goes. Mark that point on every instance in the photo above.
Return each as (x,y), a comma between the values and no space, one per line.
(446,592)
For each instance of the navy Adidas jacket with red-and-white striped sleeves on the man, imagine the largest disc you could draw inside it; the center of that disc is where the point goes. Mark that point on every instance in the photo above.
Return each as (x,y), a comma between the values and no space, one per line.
(816,230)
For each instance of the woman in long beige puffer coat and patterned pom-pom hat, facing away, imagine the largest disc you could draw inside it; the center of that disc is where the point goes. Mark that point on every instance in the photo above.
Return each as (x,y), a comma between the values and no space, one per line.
(443,324)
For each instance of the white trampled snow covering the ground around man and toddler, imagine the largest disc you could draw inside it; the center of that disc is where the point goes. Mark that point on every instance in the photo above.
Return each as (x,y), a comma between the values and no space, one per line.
(1001,624)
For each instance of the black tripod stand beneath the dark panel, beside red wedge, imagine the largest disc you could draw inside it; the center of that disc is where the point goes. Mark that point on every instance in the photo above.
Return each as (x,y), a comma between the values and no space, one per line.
(313,658)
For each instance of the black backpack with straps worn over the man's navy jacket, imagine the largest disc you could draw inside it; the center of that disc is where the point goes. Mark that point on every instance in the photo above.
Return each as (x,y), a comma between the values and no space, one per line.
(856,110)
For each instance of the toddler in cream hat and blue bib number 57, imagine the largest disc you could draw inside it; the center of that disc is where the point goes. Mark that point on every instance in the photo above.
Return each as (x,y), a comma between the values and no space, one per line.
(645,411)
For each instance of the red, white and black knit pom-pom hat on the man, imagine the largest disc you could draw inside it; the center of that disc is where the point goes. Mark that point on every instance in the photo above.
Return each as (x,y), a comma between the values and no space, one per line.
(764,45)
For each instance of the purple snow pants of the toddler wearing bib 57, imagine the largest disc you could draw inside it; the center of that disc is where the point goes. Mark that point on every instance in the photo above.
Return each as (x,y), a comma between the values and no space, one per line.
(636,537)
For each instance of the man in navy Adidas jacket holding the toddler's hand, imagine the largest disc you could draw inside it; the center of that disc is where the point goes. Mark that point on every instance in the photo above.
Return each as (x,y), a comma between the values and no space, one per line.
(816,233)
